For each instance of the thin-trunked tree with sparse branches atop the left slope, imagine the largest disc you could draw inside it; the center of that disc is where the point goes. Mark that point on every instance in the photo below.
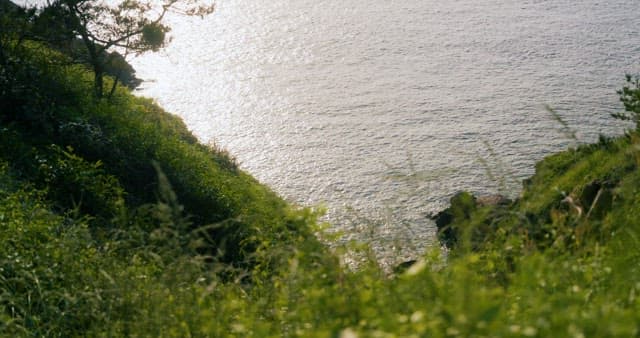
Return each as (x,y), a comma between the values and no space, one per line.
(104,27)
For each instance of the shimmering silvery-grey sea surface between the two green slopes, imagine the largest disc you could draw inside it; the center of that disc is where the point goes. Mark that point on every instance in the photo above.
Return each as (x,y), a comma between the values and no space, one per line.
(382,109)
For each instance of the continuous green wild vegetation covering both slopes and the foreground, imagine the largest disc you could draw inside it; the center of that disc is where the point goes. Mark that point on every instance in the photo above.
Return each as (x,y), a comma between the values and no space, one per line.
(115,221)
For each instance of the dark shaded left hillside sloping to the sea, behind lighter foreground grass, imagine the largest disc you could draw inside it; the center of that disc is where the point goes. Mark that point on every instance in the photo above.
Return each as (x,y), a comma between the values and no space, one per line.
(96,157)
